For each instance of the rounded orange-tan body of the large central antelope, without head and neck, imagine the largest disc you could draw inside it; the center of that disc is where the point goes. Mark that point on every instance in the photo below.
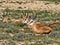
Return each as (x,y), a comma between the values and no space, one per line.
(40,28)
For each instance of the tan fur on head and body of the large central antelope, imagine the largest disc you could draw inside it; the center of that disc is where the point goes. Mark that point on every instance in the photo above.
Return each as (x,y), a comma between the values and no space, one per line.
(39,27)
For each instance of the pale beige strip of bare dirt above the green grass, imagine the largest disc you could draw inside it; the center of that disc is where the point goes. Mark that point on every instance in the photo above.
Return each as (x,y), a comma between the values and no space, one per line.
(29,5)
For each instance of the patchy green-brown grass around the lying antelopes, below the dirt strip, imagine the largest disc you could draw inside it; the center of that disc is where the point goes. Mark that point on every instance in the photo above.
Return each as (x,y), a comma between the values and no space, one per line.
(15,34)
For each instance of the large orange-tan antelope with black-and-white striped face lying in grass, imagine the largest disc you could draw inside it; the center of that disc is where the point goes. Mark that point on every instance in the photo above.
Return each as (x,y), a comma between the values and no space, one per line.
(35,26)
